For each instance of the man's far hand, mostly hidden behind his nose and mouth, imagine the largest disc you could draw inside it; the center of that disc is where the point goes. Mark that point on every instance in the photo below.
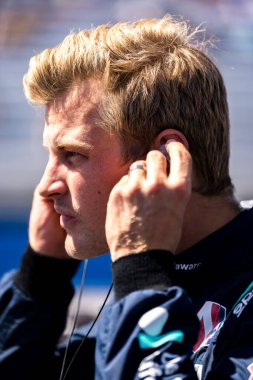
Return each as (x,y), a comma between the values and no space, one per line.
(45,233)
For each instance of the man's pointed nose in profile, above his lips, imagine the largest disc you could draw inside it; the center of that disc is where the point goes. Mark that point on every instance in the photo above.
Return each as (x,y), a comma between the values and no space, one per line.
(52,183)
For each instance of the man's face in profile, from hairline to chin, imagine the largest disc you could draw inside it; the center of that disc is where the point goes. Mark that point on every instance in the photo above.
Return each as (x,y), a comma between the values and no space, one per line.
(85,162)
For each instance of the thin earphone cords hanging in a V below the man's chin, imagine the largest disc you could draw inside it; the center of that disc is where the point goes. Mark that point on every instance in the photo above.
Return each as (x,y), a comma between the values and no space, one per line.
(91,327)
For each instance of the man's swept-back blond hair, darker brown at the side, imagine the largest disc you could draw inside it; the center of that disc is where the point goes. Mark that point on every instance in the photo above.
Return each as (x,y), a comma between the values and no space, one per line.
(156,76)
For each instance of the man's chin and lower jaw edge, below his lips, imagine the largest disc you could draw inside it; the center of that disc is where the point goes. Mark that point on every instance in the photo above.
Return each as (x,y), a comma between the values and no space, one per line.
(82,251)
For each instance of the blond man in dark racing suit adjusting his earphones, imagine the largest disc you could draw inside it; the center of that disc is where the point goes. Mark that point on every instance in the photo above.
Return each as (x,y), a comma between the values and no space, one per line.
(137,129)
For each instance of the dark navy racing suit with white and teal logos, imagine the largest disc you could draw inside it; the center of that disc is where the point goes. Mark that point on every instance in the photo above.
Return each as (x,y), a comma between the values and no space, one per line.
(187,316)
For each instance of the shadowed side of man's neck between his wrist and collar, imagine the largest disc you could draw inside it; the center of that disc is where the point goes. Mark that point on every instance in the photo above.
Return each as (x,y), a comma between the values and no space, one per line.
(205,215)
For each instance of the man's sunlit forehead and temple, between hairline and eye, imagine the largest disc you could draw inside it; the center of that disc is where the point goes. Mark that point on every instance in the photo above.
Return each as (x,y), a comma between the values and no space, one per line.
(72,121)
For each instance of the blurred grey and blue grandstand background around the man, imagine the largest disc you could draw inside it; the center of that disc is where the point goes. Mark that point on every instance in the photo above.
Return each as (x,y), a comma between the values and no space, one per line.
(29,26)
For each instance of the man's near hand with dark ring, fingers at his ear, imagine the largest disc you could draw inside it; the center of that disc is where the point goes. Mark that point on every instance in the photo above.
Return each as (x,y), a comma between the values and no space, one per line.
(146,207)
